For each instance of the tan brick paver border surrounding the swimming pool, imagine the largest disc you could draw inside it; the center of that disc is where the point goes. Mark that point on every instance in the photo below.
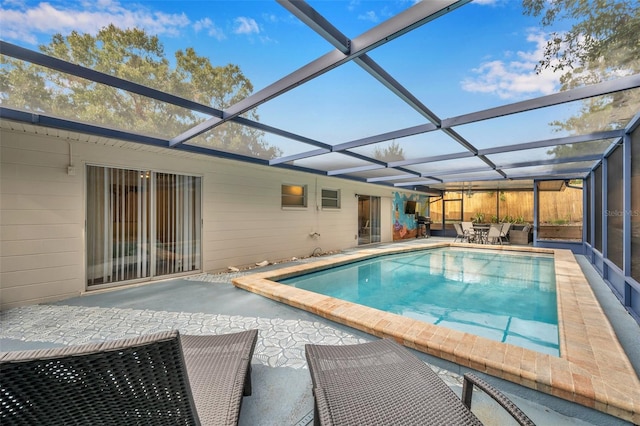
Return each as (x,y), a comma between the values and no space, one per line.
(593,369)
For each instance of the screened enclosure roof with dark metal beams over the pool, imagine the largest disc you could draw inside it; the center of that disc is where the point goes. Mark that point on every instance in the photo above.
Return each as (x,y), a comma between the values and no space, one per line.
(410,95)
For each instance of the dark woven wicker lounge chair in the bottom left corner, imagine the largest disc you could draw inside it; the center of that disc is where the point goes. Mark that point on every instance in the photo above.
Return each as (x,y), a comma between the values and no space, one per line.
(159,379)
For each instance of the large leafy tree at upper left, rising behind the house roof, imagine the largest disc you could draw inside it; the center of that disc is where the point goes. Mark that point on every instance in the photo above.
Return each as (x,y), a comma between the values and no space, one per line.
(135,56)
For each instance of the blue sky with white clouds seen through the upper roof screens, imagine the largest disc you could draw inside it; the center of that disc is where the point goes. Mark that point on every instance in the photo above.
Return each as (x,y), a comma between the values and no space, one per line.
(479,56)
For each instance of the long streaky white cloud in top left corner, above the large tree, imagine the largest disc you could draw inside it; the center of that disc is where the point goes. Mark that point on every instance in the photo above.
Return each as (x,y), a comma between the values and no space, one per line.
(25,24)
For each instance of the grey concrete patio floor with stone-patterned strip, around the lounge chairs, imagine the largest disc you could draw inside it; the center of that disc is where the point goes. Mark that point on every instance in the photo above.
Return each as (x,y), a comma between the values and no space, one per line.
(209,304)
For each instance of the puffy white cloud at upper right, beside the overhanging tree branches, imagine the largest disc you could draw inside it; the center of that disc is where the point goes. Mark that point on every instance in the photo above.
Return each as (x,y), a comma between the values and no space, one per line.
(515,78)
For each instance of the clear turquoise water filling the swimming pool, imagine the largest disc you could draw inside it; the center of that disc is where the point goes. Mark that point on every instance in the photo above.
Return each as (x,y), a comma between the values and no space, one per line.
(501,295)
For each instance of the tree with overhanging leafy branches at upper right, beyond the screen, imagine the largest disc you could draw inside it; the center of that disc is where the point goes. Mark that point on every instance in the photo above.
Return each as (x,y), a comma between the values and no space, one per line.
(602,44)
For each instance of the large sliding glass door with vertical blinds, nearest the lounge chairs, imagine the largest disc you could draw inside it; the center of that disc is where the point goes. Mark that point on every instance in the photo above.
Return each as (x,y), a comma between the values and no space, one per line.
(141,224)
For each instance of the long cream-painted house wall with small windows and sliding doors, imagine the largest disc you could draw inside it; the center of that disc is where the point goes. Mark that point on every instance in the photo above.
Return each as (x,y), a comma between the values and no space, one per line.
(42,210)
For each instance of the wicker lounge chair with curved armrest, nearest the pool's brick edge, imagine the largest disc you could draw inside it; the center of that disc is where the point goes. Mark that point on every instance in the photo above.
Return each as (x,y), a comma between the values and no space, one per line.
(382,383)
